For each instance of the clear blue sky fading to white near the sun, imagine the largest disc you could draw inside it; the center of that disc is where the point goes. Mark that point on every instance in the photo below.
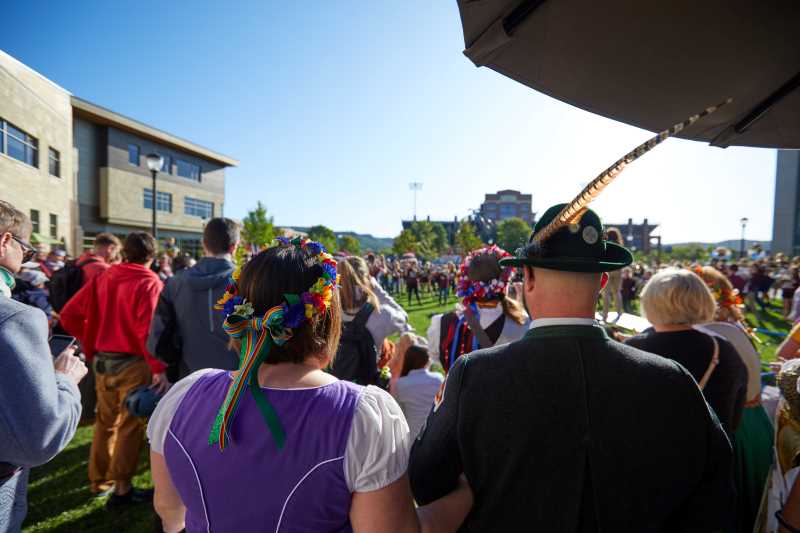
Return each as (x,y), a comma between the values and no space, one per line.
(334,107)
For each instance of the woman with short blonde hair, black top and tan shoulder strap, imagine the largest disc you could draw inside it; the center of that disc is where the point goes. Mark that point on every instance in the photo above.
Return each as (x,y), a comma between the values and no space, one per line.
(674,301)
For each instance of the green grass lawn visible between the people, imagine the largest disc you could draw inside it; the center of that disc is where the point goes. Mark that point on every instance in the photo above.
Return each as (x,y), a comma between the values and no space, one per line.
(59,497)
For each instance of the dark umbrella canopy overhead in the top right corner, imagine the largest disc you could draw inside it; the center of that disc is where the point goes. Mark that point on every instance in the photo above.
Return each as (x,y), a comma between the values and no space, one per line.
(651,64)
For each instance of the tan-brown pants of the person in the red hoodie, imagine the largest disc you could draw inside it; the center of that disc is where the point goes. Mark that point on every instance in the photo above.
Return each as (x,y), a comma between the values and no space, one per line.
(118,435)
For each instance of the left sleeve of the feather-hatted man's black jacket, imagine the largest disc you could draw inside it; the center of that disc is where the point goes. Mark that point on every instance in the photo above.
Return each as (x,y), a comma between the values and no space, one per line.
(435,462)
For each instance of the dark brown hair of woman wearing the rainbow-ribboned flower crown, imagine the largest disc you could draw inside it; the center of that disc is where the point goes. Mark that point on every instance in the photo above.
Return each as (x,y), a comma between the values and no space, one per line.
(281,270)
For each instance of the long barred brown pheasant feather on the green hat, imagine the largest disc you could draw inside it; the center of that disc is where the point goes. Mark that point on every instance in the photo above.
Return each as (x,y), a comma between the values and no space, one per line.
(574,210)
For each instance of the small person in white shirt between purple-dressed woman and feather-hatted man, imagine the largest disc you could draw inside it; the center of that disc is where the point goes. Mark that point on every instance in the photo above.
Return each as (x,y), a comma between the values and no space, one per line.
(415,386)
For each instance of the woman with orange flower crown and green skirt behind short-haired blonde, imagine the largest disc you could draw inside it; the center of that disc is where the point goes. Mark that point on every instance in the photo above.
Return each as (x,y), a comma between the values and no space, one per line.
(754,436)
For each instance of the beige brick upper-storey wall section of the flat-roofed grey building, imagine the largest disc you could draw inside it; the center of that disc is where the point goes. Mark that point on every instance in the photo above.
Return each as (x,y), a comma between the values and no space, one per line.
(121,201)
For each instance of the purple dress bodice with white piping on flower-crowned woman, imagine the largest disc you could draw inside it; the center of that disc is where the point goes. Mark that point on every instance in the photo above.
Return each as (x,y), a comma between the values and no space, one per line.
(252,486)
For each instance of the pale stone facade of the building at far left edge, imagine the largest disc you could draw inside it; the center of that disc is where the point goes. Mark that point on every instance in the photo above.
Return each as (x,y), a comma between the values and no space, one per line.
(42,109)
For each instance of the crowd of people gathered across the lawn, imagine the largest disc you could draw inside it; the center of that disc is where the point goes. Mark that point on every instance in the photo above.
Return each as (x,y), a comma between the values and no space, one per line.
(271,392)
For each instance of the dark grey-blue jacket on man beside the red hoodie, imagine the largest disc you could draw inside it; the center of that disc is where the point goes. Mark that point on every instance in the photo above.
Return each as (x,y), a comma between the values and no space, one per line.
(186,311)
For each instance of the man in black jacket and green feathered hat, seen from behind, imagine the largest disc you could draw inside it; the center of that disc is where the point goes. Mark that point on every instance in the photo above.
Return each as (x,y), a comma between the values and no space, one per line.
(568,430)
